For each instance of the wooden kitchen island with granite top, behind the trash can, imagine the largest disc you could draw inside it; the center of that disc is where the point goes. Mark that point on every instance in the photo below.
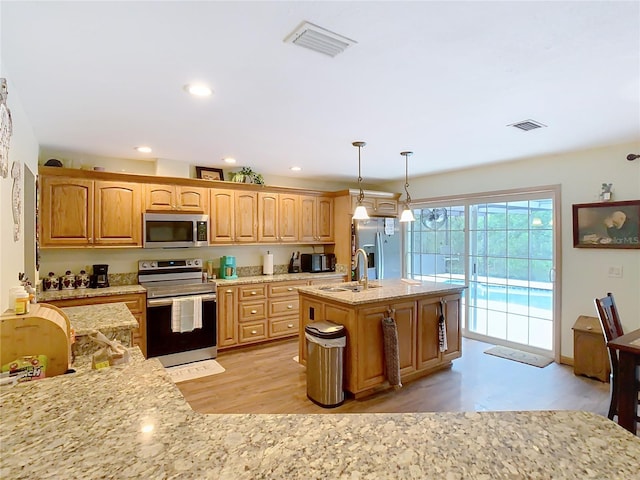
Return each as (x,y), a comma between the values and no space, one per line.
(417,308)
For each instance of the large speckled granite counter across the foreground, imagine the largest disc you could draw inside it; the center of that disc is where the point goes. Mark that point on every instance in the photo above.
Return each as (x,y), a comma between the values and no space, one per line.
(132,422)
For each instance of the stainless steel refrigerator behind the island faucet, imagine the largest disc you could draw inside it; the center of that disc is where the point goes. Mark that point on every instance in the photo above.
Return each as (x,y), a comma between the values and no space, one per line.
(380,239)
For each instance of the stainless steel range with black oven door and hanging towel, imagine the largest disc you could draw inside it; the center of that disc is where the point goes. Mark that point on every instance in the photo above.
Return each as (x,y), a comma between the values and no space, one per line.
(171,282)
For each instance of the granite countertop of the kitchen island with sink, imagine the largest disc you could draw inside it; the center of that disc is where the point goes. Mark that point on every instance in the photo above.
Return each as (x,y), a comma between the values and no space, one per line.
(381,290)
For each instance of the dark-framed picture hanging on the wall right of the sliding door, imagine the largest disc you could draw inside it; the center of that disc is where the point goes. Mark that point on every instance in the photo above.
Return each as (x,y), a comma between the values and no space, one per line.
(606,225)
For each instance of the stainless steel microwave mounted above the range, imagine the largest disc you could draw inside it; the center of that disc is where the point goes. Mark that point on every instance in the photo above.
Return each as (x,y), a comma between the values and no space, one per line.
(174,230)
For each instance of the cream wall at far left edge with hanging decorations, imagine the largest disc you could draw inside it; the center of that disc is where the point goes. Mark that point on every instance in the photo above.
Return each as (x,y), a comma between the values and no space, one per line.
(24,150)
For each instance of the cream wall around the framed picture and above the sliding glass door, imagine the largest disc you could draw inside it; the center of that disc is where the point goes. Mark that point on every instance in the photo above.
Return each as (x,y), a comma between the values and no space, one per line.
(580,174)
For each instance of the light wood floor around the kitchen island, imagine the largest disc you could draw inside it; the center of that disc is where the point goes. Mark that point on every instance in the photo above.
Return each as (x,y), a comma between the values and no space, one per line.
(266,379)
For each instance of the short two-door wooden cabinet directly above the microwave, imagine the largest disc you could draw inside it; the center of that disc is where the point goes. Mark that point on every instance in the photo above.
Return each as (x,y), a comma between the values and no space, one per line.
(160,197)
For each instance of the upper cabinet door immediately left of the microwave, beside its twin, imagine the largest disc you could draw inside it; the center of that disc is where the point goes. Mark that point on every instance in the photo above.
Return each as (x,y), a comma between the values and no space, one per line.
(118,214)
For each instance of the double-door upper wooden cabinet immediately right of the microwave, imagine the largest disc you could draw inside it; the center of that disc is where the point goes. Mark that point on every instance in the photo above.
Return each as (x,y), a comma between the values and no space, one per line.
(234,216)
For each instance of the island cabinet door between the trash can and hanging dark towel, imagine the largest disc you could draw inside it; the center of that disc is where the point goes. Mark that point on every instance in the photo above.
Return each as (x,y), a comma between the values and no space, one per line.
(370,345)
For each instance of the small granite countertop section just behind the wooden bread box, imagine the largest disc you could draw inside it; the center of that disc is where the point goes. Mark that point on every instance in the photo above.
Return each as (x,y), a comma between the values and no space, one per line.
(107,317)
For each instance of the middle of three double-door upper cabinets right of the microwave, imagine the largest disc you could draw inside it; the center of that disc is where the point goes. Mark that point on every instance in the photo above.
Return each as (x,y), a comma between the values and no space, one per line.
(278,217)
